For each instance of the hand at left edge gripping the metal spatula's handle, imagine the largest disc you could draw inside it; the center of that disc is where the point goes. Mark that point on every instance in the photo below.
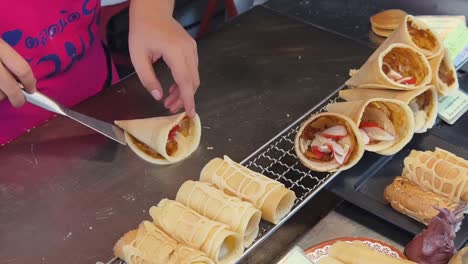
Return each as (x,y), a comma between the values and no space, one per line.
(14,69)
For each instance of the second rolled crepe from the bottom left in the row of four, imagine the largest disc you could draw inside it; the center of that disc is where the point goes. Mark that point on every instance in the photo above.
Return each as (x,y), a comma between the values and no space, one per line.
(194,230)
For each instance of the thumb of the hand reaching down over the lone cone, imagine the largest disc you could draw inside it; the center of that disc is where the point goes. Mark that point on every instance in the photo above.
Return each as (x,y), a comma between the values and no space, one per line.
(145,71)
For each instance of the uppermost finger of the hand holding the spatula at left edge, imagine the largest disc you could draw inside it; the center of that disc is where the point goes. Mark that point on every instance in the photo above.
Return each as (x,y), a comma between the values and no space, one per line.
(18,66)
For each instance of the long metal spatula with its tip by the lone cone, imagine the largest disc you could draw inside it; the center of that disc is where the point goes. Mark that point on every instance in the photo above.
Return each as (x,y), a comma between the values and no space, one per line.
(109,130)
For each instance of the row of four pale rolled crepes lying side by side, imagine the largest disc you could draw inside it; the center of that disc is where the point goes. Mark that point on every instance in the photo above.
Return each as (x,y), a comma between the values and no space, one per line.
(210,221)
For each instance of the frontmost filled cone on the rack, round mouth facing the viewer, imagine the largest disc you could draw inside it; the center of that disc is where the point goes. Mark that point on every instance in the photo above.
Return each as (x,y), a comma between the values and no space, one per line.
(329,142)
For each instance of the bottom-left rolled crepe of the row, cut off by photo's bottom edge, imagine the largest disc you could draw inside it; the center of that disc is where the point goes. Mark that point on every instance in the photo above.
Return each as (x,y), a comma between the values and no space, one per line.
(150,245)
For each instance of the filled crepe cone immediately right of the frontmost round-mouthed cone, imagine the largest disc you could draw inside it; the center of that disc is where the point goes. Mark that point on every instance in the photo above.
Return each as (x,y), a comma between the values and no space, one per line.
(386,125)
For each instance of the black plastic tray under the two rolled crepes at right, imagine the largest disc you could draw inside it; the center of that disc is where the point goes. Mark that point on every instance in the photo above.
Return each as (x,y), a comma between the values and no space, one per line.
(364,184)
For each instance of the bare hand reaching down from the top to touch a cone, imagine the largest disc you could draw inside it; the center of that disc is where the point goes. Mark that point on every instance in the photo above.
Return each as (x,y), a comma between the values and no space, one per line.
(154,34)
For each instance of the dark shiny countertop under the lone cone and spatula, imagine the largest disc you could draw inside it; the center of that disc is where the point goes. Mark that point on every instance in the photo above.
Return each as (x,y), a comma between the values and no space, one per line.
(67,194)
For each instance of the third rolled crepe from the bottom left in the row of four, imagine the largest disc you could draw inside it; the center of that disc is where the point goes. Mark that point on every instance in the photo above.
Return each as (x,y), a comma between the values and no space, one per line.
(242,217)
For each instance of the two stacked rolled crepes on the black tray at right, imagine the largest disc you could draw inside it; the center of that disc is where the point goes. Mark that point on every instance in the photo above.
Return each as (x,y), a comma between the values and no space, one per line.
(430,179)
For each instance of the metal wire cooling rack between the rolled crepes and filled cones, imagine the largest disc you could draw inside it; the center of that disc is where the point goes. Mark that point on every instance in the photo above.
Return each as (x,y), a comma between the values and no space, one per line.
(277,159)
